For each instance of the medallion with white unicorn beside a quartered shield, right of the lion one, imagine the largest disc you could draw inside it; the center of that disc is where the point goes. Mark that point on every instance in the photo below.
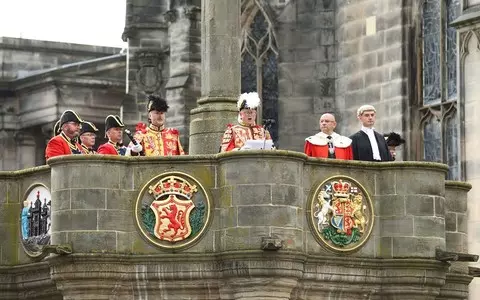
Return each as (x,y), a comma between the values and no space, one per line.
(340,214)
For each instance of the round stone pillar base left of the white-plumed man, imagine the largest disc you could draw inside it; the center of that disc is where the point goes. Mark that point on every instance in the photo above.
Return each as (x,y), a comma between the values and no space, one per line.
(209,121)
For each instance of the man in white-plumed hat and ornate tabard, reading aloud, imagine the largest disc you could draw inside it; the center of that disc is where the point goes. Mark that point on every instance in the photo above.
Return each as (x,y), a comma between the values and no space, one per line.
(235,136)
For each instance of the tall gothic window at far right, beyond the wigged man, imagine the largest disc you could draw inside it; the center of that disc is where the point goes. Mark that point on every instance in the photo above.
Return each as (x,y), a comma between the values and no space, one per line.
(438,108)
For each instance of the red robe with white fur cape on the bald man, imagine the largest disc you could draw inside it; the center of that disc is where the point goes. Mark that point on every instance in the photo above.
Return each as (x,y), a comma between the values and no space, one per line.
(317,146)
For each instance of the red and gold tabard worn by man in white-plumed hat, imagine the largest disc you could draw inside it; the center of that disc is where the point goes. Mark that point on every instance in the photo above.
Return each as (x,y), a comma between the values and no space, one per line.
(236,135)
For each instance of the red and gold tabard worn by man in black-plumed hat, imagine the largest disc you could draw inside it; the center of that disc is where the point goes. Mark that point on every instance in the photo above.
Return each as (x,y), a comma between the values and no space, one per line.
(165,142)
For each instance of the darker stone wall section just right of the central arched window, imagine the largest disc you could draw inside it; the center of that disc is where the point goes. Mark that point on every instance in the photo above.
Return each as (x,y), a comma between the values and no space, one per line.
(305,32)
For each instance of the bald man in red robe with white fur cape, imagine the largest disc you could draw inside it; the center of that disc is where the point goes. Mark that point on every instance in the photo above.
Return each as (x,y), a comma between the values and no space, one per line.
(327,143)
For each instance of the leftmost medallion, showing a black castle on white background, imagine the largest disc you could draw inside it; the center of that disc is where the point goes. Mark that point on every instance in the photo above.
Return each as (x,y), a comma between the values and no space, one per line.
(35,221)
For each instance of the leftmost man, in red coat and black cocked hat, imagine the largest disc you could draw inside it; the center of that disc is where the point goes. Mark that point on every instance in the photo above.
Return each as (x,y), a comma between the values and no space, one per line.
(65,142)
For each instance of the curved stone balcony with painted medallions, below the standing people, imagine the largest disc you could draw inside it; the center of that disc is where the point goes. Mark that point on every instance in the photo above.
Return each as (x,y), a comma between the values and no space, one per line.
(258,239)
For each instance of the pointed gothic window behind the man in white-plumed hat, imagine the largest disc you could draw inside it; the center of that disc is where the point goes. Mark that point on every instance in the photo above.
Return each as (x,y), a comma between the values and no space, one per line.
(259,63)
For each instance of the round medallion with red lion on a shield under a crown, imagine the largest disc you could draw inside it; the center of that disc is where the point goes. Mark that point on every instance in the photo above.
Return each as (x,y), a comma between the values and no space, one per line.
(172,210)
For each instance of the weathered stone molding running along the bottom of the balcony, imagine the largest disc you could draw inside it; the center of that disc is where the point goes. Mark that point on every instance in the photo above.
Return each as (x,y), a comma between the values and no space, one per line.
(294,273)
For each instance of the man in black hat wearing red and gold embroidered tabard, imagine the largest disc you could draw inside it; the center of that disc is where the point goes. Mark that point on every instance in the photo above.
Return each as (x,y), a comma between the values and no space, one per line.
(156,140)
